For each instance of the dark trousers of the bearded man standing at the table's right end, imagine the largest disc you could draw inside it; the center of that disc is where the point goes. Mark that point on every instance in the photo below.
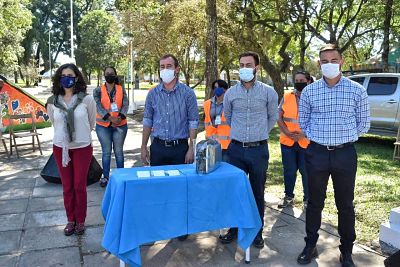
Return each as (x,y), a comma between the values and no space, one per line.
(254,162)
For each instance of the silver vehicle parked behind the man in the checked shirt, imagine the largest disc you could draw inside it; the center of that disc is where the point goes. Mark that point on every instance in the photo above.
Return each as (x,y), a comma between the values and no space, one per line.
(384,98)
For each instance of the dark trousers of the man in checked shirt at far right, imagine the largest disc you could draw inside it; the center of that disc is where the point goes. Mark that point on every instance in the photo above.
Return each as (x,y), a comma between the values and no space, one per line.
(341,165)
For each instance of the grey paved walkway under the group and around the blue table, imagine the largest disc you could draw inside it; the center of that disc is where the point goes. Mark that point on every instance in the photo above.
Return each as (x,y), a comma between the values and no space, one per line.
(32,219)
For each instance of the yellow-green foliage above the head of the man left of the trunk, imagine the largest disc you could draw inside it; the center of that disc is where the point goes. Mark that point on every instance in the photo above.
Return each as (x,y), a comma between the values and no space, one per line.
(156,28)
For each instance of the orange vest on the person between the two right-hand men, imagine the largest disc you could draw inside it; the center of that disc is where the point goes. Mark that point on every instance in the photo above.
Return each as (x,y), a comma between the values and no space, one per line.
(290,118)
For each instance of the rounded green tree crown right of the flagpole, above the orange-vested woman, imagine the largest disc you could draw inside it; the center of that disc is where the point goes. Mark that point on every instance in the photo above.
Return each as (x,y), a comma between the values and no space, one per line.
(100,45)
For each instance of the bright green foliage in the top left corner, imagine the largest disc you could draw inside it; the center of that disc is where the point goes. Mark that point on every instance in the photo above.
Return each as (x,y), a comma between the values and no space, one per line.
(15,20)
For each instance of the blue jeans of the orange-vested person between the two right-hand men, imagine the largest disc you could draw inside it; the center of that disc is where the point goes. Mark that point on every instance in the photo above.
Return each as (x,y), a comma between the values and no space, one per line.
(293,159)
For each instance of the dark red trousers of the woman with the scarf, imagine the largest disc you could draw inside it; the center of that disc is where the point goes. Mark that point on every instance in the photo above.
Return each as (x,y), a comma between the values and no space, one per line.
(73,178)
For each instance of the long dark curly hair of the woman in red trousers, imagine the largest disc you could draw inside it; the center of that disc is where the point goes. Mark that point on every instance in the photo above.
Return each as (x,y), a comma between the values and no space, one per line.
(80,84)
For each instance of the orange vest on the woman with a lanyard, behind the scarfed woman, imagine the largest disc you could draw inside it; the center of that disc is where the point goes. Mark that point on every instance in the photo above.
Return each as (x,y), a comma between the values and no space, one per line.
(105,102)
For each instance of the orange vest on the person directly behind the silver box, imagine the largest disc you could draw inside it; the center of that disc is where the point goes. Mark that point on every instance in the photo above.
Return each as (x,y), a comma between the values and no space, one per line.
(221,132)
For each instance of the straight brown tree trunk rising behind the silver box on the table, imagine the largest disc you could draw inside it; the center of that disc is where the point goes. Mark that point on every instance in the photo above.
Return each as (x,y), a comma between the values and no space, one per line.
(211,46)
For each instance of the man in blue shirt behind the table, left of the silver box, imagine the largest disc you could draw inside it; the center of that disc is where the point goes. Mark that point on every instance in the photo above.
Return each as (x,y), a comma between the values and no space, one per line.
(171,116)
